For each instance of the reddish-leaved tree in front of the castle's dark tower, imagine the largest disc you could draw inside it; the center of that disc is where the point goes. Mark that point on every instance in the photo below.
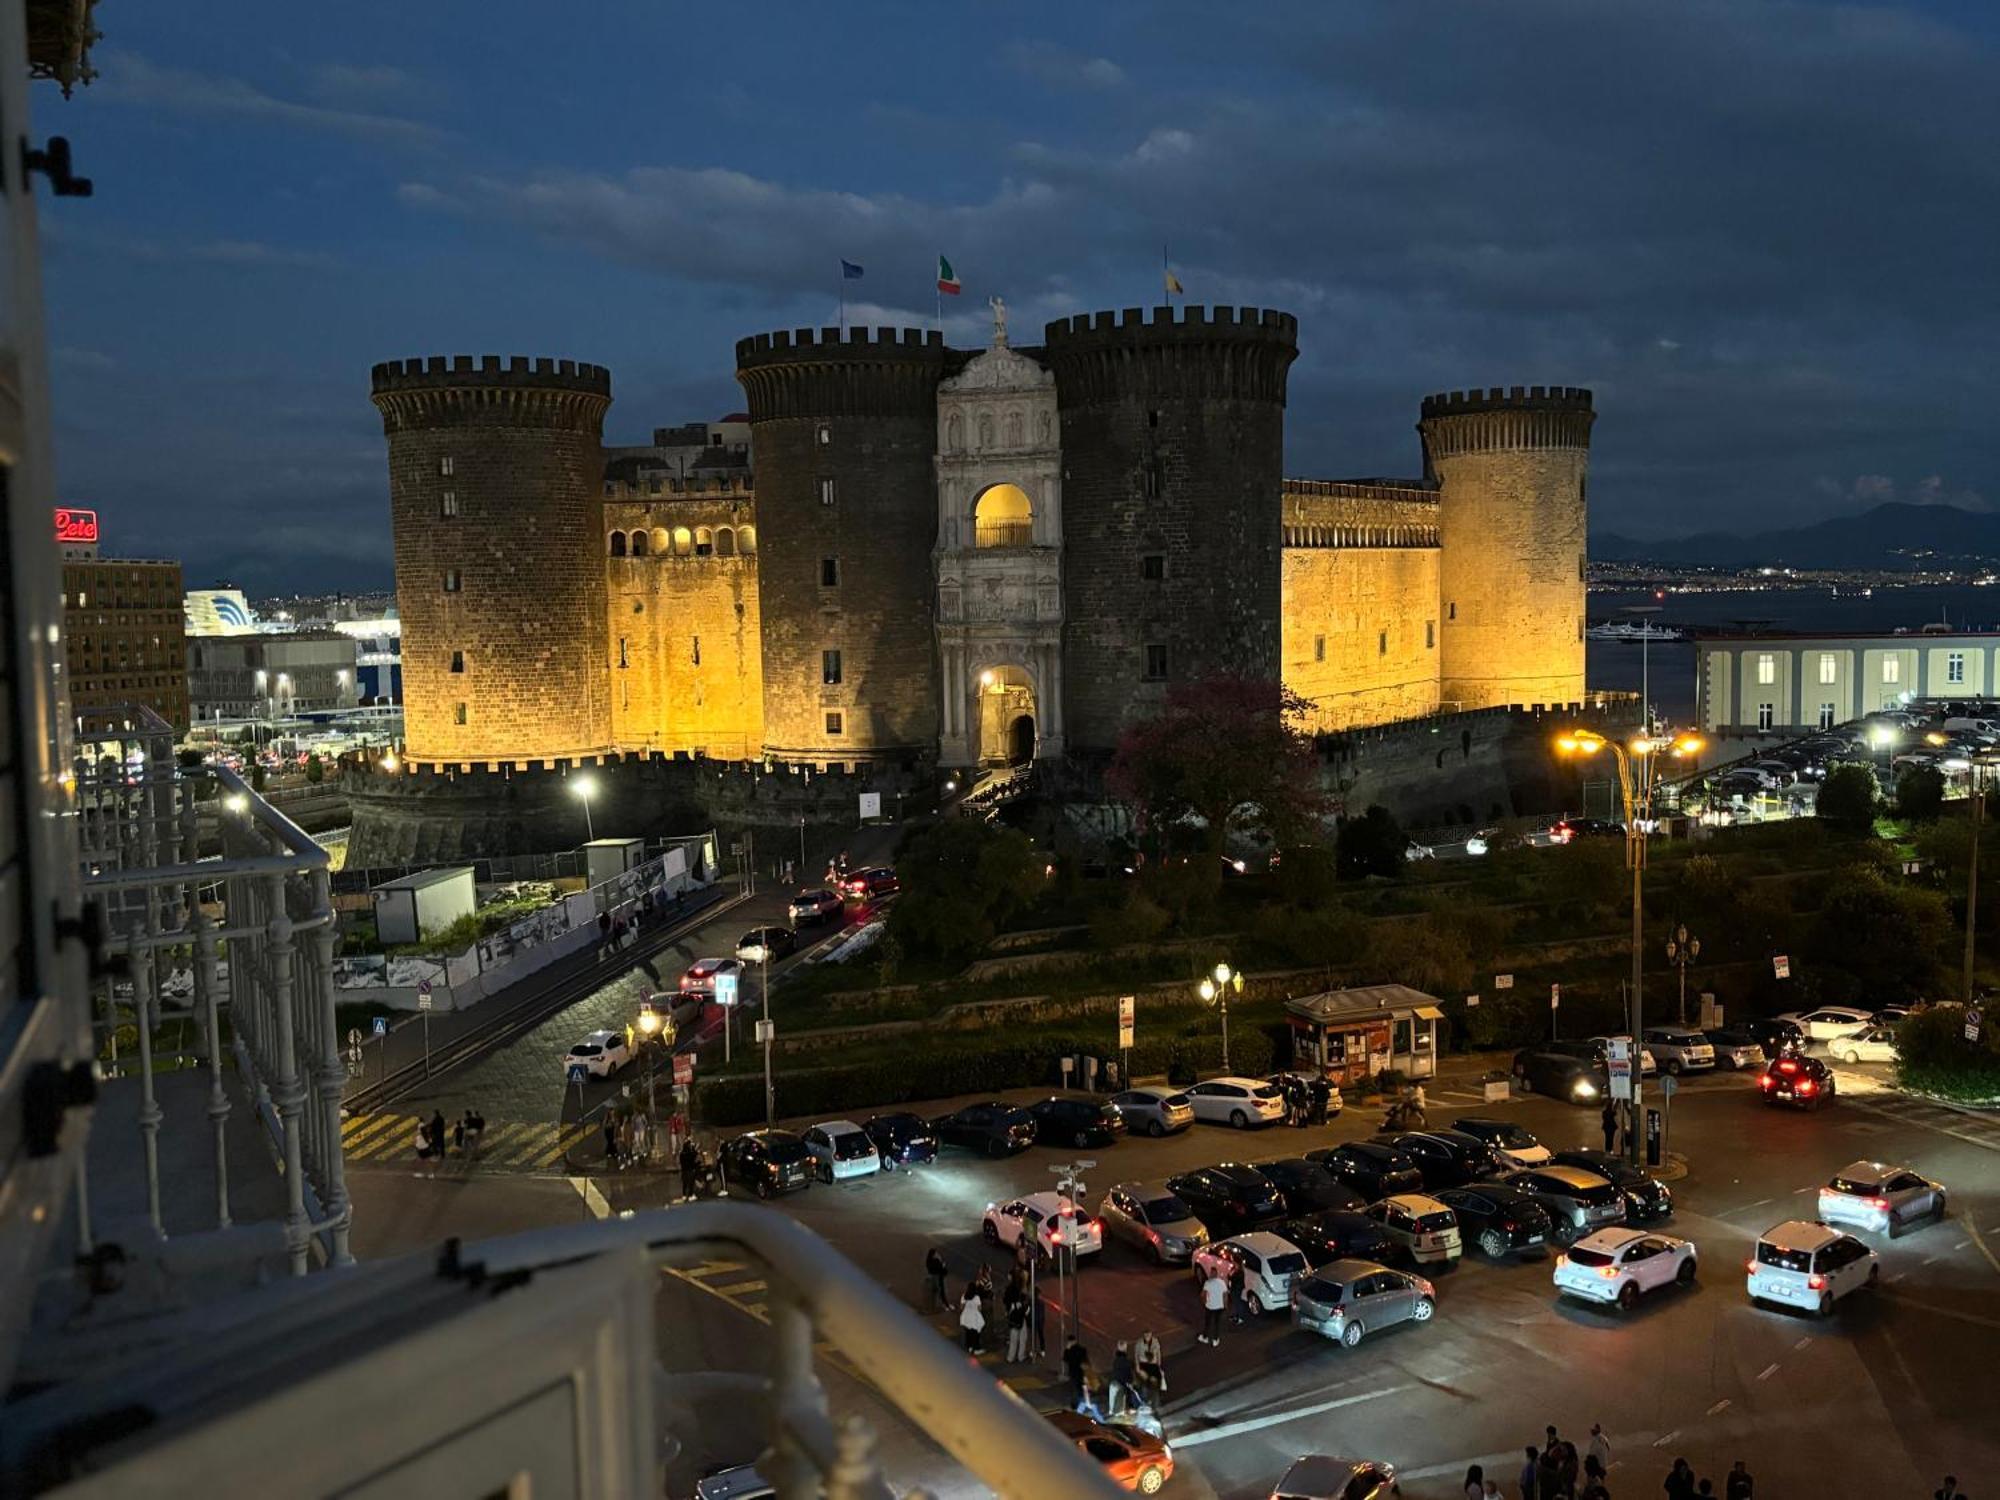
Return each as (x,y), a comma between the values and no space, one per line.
(1229,757)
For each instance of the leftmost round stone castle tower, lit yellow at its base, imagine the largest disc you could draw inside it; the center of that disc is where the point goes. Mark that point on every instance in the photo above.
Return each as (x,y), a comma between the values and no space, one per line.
(497,475)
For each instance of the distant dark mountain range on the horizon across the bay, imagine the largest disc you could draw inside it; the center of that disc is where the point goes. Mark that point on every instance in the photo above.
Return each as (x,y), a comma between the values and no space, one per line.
(1885,537)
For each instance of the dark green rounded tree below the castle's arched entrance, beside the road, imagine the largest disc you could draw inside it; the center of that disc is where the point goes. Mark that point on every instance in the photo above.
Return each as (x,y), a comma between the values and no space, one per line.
(961,881)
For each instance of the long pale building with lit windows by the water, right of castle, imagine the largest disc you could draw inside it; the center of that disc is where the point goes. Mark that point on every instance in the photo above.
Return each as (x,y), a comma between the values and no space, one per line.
(1775,683)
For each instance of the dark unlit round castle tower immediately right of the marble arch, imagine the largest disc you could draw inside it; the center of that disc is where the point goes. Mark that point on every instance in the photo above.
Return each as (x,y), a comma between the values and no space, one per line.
(1173,447)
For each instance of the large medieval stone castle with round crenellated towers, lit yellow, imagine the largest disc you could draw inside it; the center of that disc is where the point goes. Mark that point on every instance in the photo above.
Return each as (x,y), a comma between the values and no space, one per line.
(959,557)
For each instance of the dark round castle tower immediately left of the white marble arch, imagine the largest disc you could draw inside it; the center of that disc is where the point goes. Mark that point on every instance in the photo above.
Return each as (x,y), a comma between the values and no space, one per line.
(845,433)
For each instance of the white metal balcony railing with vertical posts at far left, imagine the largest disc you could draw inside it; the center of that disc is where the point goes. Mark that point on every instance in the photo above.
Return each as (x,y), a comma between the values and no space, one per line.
(247,939)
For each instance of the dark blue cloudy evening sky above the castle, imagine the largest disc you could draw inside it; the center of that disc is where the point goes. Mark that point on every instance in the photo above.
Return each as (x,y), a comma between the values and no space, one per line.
(1765,233)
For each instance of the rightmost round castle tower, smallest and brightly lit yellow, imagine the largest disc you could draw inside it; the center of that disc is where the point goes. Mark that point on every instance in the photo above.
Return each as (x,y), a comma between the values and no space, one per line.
(1511,467)
